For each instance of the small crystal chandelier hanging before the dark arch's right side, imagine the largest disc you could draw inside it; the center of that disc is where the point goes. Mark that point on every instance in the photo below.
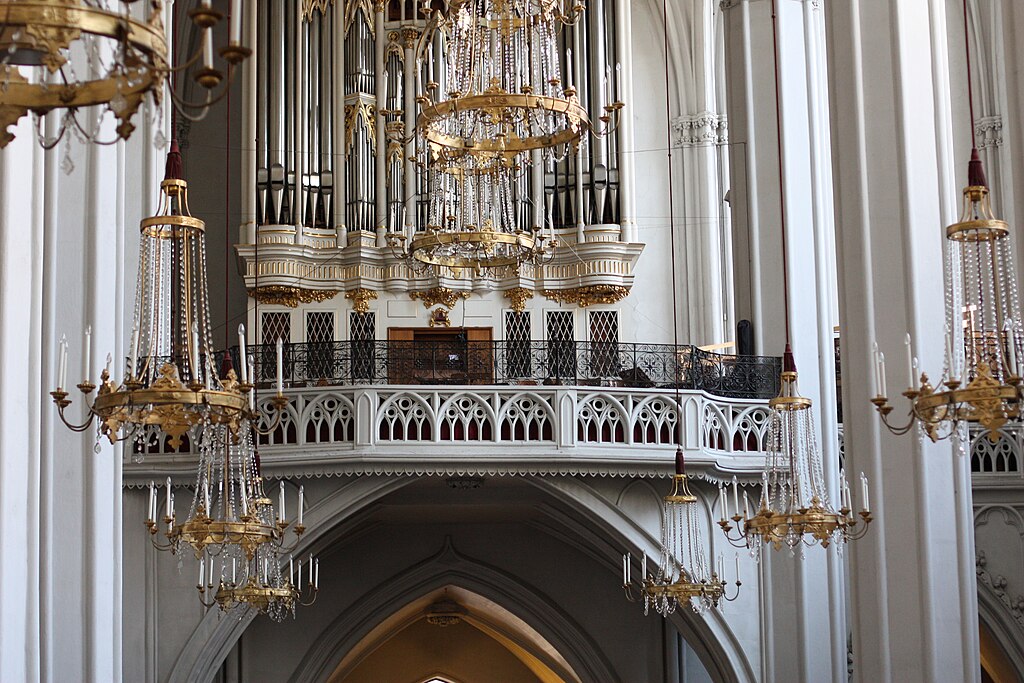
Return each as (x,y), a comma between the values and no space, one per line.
(682,575)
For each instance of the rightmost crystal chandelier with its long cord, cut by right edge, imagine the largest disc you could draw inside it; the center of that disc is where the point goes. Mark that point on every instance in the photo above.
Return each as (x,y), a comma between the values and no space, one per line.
(980,382)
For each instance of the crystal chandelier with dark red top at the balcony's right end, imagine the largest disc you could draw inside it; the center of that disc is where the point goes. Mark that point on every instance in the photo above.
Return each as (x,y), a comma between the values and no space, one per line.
(795,508)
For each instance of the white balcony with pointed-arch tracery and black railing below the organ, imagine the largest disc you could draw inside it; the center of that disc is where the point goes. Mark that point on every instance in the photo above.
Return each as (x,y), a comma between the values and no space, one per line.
(501,408)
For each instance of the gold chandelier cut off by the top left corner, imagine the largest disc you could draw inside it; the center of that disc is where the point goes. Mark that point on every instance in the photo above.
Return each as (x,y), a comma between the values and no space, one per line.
(88,58)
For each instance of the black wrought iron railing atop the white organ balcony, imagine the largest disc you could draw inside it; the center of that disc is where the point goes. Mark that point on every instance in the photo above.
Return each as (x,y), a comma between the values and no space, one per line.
(523,363)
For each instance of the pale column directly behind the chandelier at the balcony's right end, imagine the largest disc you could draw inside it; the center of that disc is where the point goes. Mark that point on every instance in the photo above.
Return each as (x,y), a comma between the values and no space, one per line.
(803,624)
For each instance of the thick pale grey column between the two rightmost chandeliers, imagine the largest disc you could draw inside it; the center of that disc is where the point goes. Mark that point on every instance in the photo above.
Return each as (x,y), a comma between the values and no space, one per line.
(914,602)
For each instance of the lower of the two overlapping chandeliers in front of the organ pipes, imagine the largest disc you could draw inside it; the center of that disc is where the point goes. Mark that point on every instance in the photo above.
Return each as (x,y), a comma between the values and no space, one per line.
(475,222)
